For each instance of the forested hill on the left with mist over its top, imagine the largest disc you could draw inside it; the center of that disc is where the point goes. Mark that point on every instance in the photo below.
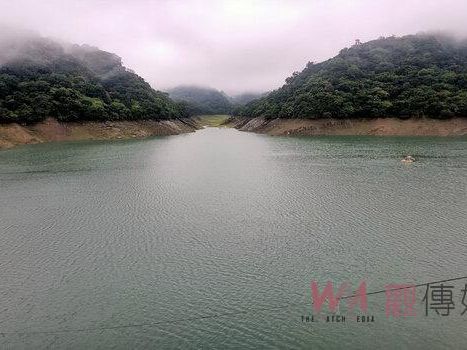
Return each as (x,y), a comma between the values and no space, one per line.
(41,78)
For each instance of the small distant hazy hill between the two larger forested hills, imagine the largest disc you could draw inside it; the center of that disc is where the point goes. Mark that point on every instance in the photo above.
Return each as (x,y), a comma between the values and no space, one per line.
(201,100)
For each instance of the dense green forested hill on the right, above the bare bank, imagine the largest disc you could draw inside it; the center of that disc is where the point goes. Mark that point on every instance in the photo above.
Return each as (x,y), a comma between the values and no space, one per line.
(415,75)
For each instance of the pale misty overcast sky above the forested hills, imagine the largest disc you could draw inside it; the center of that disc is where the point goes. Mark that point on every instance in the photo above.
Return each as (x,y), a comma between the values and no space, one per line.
(236,46)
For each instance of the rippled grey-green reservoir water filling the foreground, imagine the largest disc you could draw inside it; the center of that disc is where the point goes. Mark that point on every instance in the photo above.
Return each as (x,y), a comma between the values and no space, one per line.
(211,240)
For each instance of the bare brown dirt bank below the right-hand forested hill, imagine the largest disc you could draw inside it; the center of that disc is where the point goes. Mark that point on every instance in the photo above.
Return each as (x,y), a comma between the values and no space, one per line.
(377,126)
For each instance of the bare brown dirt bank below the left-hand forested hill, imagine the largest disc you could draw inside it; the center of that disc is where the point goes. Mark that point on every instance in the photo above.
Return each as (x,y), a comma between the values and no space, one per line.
(51,130)
